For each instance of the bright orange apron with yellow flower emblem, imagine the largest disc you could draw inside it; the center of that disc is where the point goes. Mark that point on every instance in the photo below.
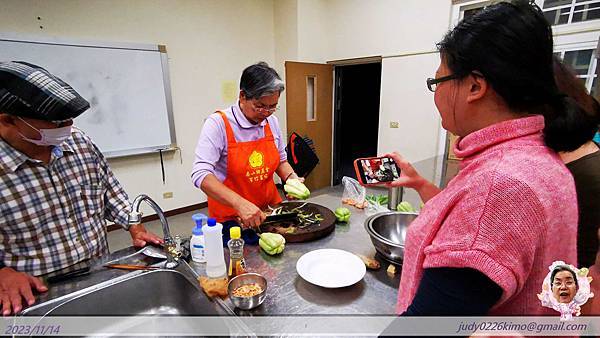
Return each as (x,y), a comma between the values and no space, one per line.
(250,169)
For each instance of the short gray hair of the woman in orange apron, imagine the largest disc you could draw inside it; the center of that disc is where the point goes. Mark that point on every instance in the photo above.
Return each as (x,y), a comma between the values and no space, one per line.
(260,80)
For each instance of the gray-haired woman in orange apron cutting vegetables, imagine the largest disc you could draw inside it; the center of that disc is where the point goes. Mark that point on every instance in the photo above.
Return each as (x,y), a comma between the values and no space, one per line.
(239,150)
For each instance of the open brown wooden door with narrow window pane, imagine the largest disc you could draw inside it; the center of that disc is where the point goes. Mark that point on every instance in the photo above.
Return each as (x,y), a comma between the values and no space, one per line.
(309,97)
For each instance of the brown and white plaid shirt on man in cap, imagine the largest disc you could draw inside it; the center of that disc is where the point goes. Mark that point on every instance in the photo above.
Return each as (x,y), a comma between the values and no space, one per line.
(53,216)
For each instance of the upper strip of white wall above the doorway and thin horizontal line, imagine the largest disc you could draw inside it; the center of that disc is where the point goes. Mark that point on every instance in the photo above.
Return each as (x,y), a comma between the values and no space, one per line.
(341,29)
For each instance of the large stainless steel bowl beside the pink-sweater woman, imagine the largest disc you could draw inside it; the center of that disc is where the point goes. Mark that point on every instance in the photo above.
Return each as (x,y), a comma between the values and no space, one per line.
(388,232)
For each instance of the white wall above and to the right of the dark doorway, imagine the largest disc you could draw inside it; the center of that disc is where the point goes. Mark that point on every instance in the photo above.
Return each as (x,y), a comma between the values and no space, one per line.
(345,29)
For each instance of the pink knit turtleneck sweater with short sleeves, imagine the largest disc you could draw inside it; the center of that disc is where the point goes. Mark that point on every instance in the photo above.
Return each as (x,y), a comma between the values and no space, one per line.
(509,213)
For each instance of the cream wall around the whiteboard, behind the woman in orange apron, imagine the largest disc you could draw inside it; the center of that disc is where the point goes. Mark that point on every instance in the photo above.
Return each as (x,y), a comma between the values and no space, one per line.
(208,42)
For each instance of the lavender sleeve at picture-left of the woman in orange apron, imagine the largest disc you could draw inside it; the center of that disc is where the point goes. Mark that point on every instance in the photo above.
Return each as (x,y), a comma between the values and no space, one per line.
(208,150)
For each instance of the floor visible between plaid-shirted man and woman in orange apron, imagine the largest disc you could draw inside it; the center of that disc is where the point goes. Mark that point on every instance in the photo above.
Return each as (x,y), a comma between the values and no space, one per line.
(181,224)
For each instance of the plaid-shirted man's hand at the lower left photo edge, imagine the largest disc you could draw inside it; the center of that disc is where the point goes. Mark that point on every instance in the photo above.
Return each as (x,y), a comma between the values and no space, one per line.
(14,286)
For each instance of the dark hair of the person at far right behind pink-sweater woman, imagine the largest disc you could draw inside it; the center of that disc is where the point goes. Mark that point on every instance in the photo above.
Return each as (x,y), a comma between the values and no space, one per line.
(587,123)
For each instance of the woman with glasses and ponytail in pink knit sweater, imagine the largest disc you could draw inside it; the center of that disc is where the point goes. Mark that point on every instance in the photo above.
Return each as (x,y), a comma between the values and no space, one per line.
(484,243)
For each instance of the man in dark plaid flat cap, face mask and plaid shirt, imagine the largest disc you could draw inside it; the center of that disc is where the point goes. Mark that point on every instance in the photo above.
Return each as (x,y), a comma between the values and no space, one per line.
(56,189)
